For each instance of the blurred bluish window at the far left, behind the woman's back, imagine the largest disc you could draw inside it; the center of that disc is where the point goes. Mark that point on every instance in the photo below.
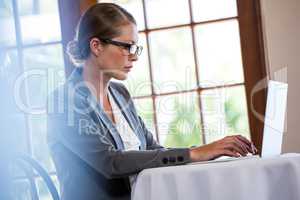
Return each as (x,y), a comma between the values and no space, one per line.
(32,64)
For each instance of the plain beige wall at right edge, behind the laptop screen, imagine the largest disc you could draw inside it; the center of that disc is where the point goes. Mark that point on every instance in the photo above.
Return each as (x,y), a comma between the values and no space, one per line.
(281,26)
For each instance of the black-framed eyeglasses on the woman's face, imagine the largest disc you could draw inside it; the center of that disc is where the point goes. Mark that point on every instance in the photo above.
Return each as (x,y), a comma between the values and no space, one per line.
(132,49)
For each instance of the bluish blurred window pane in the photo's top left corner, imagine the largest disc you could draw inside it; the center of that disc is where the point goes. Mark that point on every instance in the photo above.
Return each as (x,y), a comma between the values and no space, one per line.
(7,30)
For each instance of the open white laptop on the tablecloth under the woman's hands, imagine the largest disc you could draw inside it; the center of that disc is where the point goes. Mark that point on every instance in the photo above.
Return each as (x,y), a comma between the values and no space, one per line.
(274,123)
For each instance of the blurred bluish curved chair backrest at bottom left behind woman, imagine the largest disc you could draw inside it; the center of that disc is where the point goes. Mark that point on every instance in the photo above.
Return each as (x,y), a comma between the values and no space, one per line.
(26,163)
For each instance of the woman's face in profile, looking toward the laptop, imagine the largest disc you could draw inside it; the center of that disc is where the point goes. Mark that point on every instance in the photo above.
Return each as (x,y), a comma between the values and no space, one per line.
(115,61)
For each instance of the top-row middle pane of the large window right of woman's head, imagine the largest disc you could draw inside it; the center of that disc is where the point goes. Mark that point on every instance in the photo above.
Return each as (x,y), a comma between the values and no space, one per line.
(167,13)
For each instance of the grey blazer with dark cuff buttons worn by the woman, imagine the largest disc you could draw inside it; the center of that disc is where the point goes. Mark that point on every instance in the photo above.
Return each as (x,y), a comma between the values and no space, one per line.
(87,149)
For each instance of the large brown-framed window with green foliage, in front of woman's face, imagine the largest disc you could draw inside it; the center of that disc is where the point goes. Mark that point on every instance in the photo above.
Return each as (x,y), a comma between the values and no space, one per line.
(189,84)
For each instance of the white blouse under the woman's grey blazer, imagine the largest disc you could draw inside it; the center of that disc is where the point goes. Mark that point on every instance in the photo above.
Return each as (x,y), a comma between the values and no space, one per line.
(129,138)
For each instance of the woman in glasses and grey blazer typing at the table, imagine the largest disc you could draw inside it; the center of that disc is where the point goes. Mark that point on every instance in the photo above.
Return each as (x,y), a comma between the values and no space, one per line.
(98,152)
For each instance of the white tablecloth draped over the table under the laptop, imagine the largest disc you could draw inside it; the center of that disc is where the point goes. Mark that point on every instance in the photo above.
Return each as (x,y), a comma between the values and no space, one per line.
(256,179)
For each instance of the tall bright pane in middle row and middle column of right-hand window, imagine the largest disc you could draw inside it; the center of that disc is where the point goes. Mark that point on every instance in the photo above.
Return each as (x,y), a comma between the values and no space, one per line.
(172,60)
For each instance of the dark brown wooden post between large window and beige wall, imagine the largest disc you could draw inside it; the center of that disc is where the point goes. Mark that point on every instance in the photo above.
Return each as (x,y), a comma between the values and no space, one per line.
(254,64)
